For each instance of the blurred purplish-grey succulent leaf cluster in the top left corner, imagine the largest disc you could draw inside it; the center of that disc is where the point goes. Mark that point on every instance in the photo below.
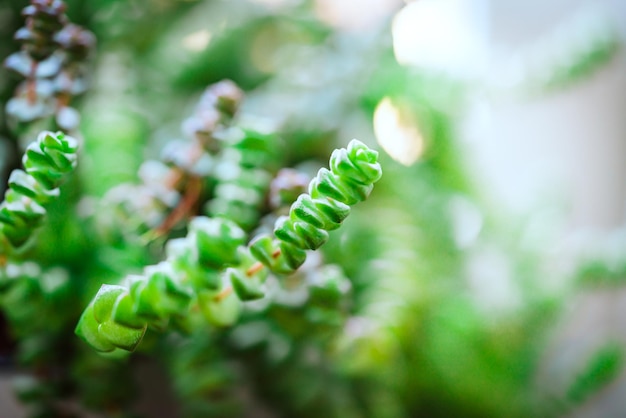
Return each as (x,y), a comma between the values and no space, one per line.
(52,62)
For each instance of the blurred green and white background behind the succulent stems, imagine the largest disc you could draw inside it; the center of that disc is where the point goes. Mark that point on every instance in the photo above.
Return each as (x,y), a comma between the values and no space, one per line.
(488,266)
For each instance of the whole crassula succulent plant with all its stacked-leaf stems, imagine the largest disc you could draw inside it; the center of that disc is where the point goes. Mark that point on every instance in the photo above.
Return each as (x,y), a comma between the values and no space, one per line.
(235,229)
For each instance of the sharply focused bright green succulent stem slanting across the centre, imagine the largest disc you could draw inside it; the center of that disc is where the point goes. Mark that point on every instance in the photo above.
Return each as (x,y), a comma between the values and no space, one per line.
(212,268)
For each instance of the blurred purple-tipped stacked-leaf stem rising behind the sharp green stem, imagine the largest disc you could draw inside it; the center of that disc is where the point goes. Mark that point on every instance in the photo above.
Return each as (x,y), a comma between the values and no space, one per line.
(171,187)
